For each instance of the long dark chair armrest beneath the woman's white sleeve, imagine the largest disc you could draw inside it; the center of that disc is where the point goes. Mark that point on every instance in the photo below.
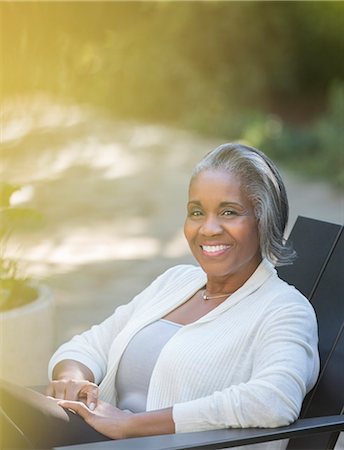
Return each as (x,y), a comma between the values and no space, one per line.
(217,439)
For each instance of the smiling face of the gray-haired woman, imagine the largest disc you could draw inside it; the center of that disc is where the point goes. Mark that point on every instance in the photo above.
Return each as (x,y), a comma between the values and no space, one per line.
(221,227)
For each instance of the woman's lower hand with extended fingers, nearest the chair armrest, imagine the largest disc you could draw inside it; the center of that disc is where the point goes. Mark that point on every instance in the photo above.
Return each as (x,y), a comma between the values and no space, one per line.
(105,418)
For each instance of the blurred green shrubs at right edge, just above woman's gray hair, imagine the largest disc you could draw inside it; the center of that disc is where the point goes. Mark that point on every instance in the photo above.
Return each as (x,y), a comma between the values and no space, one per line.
(315,149)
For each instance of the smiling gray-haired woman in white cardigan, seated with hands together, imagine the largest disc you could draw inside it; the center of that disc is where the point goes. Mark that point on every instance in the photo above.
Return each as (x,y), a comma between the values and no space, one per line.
(225,343)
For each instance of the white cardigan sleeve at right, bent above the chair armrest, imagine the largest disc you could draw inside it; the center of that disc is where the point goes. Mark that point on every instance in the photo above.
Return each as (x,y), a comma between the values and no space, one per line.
(285,368)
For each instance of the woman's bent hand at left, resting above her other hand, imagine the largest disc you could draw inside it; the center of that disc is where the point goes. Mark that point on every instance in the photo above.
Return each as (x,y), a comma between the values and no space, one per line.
(78,390)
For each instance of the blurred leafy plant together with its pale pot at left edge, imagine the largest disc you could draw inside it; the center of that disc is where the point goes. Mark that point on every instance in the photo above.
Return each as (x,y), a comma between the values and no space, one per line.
(26,306)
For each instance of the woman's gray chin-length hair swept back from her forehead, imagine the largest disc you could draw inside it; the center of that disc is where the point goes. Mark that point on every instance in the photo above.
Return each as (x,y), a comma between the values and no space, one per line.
(265,189)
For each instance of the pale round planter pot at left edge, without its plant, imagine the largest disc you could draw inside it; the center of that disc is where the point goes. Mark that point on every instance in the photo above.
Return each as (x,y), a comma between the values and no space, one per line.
(27,340)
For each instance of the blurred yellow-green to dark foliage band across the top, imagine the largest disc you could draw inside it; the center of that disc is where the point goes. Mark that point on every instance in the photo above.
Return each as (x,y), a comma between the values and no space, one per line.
(160,59)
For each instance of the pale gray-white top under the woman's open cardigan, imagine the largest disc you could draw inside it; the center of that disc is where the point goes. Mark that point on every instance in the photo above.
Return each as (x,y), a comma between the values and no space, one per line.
(137,364)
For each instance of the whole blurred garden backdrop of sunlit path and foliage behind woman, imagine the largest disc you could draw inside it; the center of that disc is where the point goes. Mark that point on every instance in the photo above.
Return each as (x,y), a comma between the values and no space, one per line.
(106,107)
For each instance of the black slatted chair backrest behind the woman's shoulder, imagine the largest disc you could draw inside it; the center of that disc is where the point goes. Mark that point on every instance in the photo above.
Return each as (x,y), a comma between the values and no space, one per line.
(318,273)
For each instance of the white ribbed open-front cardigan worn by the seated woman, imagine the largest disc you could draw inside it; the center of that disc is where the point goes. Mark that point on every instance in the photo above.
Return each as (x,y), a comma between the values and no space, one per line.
(247,363)
